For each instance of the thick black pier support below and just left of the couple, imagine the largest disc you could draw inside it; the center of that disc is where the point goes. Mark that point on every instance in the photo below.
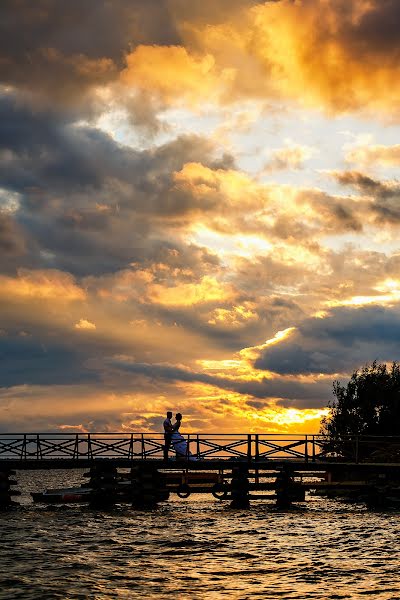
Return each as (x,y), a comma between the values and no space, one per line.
(148,486)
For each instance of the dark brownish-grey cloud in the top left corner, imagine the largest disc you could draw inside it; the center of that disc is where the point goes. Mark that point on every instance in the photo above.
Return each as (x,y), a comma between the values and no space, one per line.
(60,49)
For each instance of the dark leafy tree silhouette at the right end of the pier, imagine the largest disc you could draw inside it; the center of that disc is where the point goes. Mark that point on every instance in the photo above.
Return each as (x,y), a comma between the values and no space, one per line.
(368,405)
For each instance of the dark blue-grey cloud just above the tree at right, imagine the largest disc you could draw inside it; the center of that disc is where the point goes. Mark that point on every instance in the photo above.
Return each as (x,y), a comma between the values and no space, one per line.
(340,342)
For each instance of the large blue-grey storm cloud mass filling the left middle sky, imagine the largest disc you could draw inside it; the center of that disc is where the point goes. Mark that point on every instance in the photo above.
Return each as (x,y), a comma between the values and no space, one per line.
(88,202)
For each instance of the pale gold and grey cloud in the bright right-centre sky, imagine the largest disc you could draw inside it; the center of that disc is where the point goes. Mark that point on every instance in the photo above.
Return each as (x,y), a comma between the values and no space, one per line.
(234,202)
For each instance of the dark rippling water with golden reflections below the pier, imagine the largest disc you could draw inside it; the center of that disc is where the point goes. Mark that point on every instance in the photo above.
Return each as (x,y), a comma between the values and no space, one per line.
(196,548)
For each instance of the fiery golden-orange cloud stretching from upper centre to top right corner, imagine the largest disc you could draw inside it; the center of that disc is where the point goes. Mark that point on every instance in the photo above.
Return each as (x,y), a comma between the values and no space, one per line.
(339,55)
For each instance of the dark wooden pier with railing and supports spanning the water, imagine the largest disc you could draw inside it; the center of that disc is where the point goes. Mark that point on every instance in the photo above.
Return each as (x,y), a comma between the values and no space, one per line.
(232,467)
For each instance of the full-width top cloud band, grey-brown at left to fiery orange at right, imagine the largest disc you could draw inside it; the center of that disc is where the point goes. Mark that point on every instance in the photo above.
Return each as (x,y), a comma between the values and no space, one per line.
(334,54)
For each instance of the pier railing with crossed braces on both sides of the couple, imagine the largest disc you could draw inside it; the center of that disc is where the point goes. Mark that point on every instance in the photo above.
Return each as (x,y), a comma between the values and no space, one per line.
(246,447)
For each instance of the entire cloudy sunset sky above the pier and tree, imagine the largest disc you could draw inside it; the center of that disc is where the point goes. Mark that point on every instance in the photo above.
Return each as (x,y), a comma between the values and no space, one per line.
(199,210)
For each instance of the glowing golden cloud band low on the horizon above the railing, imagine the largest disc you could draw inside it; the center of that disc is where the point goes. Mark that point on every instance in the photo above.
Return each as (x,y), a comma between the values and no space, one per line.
(204,407)
